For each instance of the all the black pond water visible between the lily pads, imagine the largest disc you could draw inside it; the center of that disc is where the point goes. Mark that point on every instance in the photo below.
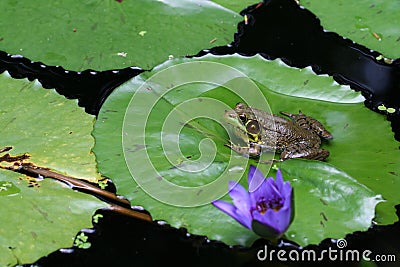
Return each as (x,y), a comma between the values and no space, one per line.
(275,29)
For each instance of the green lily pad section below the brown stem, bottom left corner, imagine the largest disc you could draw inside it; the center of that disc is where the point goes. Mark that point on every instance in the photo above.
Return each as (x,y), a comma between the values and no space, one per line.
(40,219)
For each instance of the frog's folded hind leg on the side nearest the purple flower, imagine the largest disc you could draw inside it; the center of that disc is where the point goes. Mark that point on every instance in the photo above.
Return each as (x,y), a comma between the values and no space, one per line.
(300,151)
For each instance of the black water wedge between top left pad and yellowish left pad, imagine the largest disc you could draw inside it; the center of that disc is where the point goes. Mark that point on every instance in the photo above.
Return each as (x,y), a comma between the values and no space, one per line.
(90,87)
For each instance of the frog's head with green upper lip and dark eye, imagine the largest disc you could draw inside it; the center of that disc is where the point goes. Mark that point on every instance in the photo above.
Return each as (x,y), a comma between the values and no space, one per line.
(244,122)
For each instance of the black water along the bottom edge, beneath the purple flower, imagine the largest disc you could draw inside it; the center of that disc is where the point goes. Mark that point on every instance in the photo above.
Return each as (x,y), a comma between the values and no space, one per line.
(121,241)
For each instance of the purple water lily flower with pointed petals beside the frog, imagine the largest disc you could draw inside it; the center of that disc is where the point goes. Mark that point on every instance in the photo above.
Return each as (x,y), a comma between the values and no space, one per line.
(266,208)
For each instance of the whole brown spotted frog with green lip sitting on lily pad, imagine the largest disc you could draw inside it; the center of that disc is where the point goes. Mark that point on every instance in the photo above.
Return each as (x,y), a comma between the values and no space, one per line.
(293,136)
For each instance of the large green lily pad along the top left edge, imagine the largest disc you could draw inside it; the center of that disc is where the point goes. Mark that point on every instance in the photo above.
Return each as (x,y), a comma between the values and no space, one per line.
(110,34)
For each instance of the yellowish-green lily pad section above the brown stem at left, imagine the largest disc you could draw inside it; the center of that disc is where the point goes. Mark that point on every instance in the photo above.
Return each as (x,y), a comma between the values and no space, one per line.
(52,129)
